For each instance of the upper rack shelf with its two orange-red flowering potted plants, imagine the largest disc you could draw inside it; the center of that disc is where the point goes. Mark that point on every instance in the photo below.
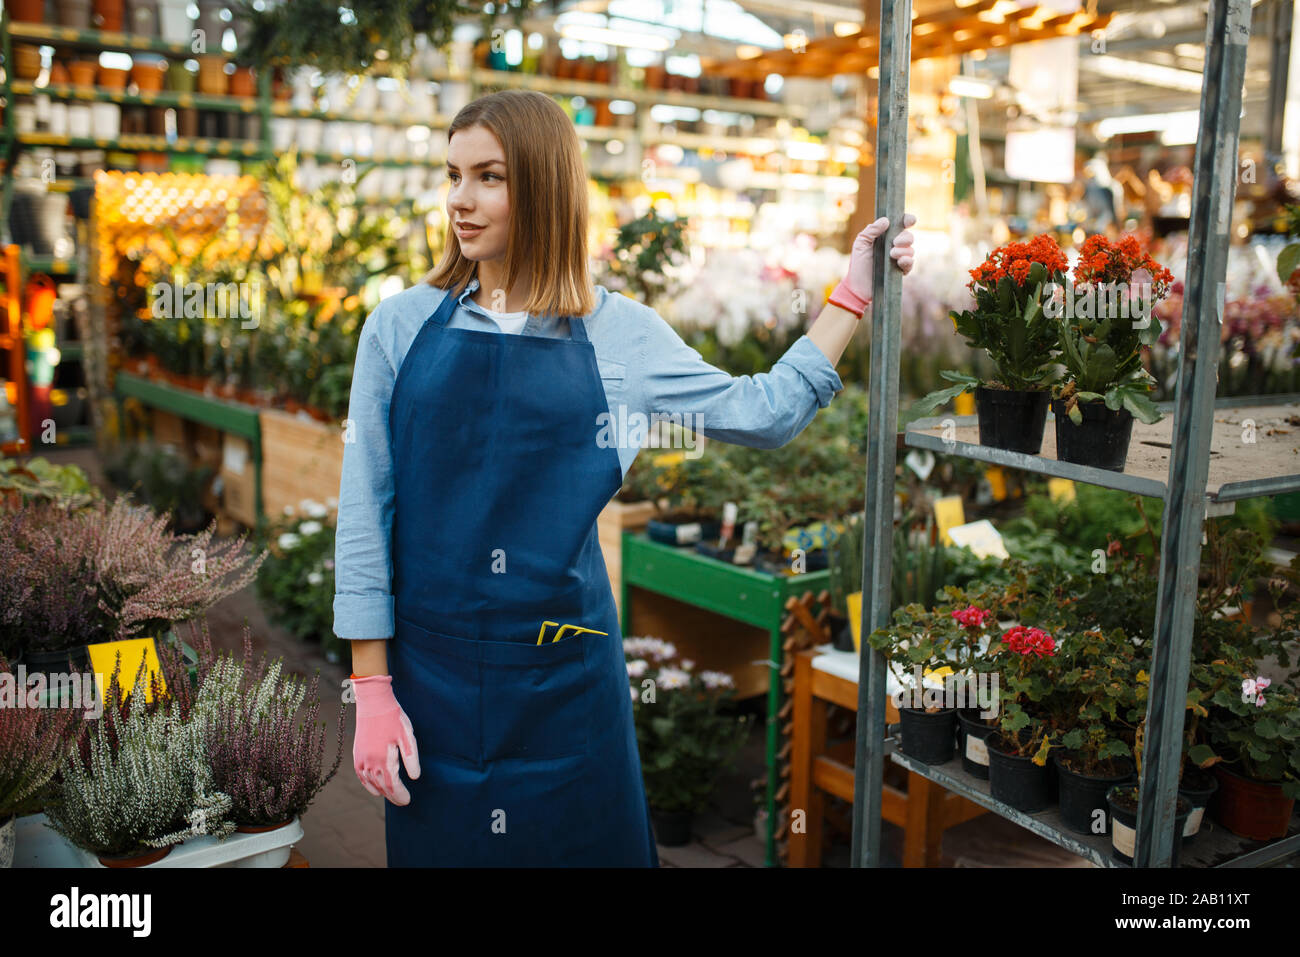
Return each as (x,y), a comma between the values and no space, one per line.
(1080,347)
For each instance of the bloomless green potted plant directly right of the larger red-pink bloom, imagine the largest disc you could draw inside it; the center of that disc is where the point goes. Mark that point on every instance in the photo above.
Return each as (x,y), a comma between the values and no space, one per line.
(1094,694)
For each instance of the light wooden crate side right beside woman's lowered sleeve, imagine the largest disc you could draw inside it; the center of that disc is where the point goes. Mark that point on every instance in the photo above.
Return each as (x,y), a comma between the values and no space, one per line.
(301,458)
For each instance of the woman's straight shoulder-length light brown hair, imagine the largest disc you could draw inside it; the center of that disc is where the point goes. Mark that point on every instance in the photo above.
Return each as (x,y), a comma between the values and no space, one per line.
(548,203)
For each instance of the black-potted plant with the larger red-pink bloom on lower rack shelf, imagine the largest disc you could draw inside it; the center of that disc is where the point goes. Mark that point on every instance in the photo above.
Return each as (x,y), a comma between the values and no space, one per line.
(1019,752)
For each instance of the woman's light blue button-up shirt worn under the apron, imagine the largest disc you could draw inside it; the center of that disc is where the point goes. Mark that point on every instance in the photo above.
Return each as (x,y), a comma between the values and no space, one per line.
(647,371)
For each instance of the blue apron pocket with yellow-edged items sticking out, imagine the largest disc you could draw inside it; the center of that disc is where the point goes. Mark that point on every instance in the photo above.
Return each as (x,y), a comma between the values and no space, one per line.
(536,700)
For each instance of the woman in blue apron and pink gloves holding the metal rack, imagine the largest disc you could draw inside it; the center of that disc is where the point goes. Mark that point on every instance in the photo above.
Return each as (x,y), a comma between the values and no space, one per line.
(470,578)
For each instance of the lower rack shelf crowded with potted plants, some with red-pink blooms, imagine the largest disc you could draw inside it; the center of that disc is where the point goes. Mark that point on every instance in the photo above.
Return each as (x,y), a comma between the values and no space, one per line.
(1071,705)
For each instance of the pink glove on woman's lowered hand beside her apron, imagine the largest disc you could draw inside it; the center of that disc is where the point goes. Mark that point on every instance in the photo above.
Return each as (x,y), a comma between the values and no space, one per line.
(383,730)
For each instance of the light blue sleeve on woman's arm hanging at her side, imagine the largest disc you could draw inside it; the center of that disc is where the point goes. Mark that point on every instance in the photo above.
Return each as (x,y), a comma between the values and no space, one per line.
(363,555)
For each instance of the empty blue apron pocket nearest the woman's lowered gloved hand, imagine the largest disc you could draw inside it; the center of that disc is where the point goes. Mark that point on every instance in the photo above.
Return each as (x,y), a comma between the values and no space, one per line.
(436,679)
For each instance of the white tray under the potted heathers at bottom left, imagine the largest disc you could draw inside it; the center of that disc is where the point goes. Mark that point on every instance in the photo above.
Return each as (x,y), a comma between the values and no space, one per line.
(38,846)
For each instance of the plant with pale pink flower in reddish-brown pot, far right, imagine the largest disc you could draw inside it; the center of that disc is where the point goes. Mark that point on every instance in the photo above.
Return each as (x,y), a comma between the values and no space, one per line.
(1251,738)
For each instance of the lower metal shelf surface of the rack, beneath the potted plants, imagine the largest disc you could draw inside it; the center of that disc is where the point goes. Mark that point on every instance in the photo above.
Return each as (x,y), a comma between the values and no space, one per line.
(1214,847)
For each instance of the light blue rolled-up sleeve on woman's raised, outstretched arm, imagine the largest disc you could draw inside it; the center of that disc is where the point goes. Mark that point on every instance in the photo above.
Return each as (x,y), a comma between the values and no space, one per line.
(764,412)
